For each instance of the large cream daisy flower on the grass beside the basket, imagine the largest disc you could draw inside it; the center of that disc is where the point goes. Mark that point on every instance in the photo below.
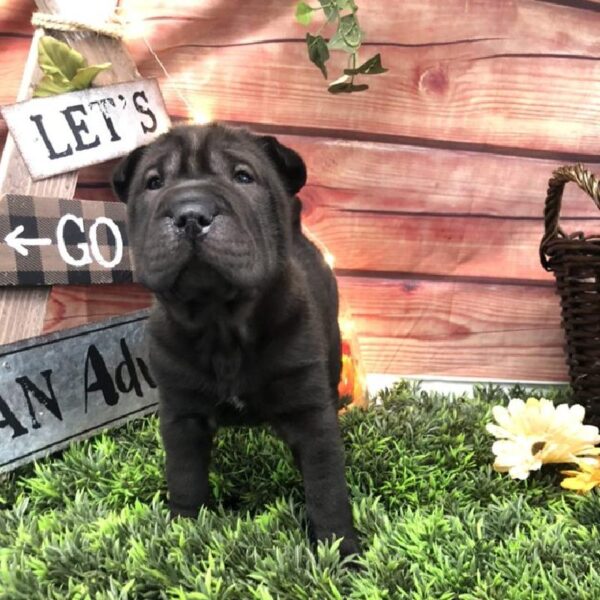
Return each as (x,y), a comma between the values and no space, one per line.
(536,432)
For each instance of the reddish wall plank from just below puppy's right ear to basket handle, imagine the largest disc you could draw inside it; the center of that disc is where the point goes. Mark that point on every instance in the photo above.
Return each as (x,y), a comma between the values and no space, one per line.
(478,247)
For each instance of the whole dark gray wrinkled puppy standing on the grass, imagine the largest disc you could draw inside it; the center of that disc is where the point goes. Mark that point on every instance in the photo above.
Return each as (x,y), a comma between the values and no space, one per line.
(244,330)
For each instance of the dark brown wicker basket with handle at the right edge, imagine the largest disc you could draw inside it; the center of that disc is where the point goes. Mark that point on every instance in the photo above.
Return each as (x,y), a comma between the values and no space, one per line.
(575,261)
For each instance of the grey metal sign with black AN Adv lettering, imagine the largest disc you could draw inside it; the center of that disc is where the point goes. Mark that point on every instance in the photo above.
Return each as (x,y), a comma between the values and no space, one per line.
(66,386)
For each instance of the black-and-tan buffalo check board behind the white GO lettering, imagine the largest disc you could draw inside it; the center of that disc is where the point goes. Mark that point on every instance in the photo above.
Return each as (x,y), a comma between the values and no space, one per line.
(44,265)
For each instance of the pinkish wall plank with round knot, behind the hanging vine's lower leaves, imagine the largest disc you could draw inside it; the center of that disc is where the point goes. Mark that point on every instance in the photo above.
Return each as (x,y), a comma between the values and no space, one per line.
(488,101)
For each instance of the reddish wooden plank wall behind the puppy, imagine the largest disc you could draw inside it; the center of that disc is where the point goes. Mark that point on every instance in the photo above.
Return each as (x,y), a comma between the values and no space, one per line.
(428,189)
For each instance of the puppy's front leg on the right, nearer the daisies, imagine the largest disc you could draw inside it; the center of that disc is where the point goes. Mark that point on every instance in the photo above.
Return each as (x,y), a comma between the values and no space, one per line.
(314,438)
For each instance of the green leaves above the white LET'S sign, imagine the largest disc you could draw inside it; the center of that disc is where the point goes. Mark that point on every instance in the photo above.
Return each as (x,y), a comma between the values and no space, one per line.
(65,69)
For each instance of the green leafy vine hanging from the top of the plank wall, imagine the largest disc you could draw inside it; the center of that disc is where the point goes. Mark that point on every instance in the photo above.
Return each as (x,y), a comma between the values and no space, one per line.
(347,38)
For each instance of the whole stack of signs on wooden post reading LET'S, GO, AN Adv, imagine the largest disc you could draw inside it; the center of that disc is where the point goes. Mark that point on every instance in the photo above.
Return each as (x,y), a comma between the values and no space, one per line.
(65,386)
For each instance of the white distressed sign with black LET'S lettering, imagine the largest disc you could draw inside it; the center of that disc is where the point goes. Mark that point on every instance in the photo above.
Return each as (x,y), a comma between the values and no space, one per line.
(66,132)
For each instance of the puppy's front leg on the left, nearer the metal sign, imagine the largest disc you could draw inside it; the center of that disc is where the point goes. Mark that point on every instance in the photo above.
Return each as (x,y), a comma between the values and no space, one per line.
(188,442)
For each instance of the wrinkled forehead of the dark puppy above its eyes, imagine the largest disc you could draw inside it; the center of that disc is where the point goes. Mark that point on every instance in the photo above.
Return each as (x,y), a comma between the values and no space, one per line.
(195,151)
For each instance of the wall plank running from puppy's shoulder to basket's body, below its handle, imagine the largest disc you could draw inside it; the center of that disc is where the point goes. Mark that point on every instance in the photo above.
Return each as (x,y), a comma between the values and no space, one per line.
(447,309)
